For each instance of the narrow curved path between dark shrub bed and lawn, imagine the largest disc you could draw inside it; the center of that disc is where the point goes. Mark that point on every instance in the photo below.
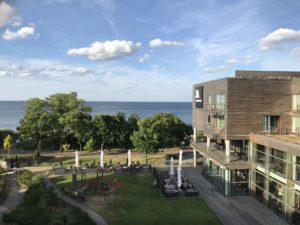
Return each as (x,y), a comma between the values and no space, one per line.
(92,214)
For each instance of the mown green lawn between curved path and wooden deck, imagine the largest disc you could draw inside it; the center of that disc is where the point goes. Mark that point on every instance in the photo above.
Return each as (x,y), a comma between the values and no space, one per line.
(137,202)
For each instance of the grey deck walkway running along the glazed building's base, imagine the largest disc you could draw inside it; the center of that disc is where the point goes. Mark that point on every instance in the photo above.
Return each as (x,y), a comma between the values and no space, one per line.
(232,210)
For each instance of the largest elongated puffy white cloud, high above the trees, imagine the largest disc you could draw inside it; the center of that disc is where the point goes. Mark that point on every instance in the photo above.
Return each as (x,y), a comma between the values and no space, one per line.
(106,50)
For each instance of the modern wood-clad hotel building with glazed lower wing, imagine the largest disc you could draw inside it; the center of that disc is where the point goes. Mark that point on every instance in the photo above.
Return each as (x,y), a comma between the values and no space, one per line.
(247,128)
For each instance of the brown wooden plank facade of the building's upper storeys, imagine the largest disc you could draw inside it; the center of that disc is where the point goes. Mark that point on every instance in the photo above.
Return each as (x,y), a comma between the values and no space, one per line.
(249,97)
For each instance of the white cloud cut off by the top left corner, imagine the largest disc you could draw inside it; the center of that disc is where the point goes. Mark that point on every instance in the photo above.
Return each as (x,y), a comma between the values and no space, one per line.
(7,14)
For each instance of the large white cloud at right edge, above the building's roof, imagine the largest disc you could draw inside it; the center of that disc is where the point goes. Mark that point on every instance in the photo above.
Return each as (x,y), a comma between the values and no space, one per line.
(277,37)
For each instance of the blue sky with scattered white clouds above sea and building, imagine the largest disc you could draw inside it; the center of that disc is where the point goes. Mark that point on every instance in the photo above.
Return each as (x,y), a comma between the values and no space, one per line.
(140,50)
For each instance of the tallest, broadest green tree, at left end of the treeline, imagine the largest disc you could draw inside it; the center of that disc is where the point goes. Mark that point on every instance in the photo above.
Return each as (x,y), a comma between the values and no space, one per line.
(51,120)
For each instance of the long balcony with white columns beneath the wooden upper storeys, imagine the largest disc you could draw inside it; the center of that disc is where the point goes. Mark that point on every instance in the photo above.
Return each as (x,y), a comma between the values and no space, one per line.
(217,153)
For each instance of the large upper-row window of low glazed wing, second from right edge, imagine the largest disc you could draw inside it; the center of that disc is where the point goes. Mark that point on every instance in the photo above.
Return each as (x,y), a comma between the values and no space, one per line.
(277,162)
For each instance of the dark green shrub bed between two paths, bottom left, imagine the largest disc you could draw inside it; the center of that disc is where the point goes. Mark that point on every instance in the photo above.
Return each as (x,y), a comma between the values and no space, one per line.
(41,206)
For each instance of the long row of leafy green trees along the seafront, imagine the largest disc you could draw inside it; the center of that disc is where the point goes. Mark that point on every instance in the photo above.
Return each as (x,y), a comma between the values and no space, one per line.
(62,119)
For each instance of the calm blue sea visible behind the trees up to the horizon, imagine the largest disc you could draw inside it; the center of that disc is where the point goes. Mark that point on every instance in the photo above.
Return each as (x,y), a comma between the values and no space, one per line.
(12,111)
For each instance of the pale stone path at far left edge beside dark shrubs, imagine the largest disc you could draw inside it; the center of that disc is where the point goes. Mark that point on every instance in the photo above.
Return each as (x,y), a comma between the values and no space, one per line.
(14,194)
